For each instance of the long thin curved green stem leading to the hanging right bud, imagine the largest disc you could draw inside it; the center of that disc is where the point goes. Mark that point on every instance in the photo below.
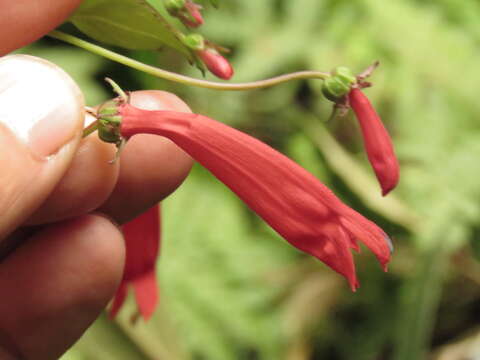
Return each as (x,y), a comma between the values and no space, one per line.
(168,75)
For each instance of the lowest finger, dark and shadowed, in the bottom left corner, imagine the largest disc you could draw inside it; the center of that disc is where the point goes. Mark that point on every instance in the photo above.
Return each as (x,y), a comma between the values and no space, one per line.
(56,284)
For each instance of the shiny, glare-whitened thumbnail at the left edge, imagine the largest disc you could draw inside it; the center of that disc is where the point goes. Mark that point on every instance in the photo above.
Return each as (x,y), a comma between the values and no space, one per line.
(39,103)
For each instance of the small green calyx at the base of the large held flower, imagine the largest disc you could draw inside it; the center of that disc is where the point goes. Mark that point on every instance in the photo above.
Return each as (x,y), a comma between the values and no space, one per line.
(109,121)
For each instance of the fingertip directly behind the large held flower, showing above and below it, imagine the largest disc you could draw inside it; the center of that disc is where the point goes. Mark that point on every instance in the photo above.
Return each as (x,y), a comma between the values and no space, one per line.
(151,167)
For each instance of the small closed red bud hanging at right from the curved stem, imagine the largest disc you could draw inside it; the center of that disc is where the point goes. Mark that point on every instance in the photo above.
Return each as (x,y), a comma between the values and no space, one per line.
(377,141)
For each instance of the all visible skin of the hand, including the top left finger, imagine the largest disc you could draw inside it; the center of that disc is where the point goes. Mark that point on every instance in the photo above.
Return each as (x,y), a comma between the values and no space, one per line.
(60,199)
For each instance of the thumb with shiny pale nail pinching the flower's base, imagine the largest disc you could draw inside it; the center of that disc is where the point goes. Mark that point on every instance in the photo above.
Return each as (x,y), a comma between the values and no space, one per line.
(41,119)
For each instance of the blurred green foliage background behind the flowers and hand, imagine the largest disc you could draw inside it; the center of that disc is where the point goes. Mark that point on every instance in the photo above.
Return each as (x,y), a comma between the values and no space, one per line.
(231,289)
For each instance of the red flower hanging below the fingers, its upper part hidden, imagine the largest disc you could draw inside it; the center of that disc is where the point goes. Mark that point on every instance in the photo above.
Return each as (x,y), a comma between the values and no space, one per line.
(142,240)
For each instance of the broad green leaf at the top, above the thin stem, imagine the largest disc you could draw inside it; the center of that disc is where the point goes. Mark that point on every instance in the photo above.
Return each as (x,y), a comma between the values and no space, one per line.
(131,24)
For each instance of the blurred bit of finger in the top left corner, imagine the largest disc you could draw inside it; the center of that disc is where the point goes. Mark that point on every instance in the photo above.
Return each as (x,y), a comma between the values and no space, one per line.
(24,21)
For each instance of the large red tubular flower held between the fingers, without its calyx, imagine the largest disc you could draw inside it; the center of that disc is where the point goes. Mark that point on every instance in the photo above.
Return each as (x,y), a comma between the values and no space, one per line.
(291,200)
